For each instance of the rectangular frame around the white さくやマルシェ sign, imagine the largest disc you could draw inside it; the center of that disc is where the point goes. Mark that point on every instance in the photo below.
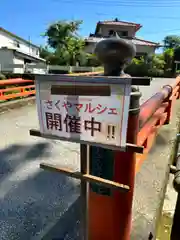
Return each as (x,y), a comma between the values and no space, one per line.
(85,80)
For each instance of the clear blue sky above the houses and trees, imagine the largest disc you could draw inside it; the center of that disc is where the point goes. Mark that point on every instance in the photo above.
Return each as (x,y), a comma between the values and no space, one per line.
(30,18)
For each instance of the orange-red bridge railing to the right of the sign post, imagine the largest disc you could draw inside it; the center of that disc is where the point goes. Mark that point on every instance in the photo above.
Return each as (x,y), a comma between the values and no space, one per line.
(155,112)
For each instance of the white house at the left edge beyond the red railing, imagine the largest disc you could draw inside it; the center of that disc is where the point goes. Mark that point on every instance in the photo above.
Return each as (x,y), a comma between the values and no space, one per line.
(16,50)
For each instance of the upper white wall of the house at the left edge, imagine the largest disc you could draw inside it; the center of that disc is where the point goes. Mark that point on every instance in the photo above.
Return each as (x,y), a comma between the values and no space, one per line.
(9,41)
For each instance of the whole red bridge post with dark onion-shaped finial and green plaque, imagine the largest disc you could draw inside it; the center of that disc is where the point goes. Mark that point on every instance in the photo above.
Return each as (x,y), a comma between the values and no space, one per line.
(110,211)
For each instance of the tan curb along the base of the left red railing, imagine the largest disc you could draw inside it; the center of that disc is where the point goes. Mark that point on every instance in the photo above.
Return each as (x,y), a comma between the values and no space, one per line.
(6,106)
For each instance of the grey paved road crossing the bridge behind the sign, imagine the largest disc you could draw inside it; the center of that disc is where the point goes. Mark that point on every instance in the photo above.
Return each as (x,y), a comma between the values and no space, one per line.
(31,200)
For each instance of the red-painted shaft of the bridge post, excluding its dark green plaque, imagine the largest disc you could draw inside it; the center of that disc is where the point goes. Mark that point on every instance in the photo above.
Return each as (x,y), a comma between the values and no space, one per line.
(110,216)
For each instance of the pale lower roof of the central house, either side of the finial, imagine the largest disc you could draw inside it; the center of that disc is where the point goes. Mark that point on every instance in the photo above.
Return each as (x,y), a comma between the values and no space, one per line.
(136,41)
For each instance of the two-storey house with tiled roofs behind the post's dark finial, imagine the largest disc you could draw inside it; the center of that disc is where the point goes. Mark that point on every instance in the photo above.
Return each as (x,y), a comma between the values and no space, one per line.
(125,30)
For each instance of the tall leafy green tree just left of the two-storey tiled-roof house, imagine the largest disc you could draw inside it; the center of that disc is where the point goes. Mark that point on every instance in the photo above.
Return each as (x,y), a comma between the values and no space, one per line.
(63,38)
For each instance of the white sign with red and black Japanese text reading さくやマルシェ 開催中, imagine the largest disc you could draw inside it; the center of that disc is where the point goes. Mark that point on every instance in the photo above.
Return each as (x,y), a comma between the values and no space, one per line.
(89,119)
